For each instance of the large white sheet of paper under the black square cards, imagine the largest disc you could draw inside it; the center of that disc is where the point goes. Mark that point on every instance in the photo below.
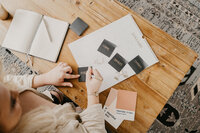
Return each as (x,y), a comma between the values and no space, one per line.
(127,37)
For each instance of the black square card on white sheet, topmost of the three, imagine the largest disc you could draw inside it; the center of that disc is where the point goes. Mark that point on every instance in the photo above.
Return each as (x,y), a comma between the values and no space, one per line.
(106,48)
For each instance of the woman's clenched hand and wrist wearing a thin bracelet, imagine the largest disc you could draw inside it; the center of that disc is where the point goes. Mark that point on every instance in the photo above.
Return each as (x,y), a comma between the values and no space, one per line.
(93,83)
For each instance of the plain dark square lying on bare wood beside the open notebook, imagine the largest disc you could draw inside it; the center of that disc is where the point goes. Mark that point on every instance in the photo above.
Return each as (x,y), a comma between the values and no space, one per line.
(78,26)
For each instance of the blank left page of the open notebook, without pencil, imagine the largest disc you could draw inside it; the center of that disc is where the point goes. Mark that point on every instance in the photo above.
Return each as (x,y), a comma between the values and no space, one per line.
(22,30)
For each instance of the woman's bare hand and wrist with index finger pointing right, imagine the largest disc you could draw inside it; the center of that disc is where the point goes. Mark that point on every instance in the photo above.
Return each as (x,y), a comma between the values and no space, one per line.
(55,77)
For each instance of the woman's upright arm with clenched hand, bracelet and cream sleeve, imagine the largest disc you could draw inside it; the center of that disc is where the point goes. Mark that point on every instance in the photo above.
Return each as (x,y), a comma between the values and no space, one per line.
(93,117)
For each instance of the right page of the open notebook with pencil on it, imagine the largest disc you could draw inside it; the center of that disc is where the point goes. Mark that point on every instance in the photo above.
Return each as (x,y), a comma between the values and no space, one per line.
(42,45)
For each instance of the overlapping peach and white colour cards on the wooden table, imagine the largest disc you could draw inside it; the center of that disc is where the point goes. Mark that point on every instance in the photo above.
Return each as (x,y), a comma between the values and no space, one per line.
(120,105)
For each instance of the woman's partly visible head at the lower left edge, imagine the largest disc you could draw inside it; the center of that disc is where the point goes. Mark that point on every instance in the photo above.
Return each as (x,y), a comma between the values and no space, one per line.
(10,109)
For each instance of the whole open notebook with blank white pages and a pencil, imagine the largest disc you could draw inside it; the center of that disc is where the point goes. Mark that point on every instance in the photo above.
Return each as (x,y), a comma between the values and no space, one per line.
(36,34)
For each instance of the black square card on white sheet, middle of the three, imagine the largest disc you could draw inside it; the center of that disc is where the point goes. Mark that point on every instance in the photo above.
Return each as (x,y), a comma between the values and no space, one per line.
(117,62)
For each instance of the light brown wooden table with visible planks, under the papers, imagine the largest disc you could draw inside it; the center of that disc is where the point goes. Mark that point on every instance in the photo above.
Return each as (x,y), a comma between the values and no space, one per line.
(154,85)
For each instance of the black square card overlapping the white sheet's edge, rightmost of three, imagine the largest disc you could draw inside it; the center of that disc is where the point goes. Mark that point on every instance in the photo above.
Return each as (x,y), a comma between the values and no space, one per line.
(138,64)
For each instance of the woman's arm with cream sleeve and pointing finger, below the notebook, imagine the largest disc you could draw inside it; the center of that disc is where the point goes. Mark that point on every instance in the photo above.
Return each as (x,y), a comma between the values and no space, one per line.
(54,77)
